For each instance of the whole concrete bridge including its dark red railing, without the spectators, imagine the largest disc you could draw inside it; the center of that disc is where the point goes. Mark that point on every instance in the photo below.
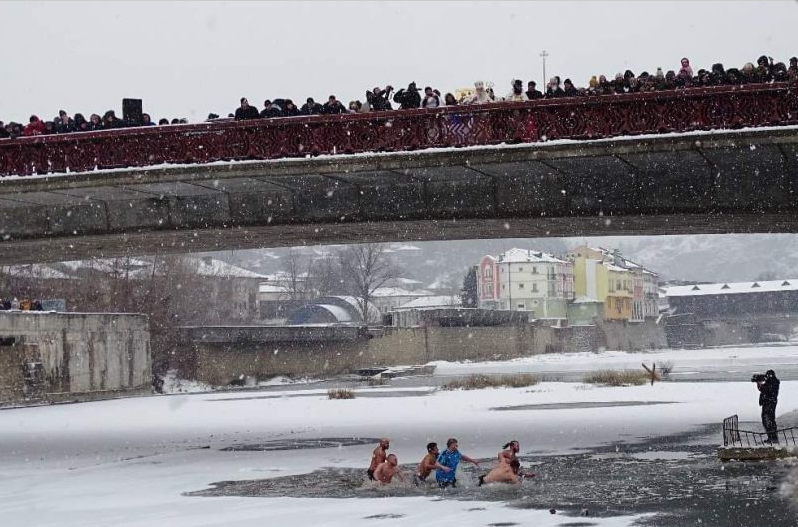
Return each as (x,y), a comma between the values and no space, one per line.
(708,160)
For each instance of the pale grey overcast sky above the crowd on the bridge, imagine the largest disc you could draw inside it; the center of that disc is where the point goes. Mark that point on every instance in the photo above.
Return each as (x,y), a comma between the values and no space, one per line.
(186,59)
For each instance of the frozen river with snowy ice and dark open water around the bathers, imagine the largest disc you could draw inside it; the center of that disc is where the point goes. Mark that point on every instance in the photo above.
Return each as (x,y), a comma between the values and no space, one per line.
(626,455)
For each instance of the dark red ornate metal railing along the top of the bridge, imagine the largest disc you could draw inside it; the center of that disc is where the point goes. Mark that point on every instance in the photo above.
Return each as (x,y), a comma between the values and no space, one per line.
(568,118)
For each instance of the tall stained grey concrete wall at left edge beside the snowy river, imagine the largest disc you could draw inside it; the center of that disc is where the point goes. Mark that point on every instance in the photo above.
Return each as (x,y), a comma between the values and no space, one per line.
(85,352)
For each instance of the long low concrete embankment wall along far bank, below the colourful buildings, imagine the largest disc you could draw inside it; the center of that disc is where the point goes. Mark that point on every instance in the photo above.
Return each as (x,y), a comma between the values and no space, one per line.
(222,362)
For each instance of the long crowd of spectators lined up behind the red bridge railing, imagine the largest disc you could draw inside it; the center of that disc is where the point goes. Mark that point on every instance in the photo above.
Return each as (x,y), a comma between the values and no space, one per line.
(765,70)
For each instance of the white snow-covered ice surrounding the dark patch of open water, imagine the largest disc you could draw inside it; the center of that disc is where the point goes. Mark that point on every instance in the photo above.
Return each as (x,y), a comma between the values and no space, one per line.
(127,462)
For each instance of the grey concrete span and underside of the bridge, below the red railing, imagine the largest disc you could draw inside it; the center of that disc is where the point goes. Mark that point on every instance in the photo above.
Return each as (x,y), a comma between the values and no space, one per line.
(713,182)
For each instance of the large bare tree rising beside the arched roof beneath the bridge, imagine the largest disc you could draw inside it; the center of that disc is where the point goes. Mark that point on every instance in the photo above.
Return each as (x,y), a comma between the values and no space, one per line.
(365,268)
